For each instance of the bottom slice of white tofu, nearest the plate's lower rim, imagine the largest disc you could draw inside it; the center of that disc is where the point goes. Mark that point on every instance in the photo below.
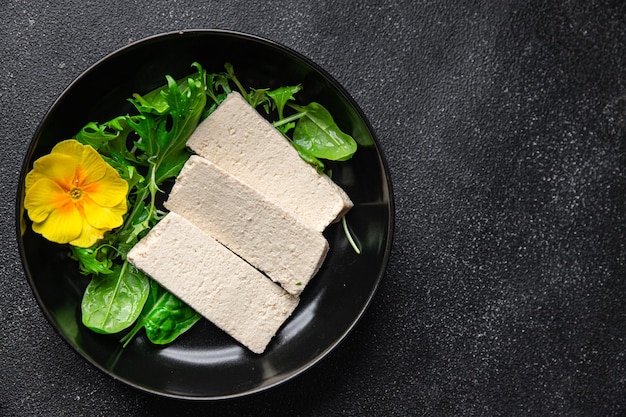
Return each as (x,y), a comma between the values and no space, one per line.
(214,281)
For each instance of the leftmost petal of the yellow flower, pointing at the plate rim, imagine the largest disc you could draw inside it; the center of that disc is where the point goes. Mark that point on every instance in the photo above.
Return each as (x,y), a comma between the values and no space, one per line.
(42,198)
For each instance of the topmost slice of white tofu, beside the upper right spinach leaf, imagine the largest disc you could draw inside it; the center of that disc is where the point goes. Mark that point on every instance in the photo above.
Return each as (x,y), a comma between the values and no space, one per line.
(239,140)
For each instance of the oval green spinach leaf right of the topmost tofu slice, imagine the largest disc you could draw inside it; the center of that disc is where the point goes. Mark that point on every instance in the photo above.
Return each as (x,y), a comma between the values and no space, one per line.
(318,135)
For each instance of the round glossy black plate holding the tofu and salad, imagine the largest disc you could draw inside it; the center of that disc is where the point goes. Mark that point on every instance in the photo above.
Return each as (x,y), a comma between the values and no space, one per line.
(205,363)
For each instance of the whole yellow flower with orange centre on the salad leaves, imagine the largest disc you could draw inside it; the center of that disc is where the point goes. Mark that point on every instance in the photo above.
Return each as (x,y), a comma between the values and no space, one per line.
(73,196)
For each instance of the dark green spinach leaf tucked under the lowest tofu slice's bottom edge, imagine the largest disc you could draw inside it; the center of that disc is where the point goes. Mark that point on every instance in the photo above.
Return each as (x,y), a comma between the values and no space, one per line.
(164,317)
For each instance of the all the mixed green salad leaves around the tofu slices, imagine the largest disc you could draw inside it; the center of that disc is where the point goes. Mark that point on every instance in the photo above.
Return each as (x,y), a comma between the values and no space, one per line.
(148,149)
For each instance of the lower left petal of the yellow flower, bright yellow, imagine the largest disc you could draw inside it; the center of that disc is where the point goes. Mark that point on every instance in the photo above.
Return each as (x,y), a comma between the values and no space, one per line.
(62,225)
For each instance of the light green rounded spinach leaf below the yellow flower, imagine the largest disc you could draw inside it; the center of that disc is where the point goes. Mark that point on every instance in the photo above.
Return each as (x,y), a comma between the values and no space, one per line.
(112,302)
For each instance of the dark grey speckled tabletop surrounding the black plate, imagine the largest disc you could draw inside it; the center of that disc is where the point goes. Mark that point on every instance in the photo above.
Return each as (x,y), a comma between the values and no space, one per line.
(504,126)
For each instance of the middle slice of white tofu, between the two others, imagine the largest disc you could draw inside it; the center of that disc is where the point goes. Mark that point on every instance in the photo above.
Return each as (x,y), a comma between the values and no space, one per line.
(247,223)
